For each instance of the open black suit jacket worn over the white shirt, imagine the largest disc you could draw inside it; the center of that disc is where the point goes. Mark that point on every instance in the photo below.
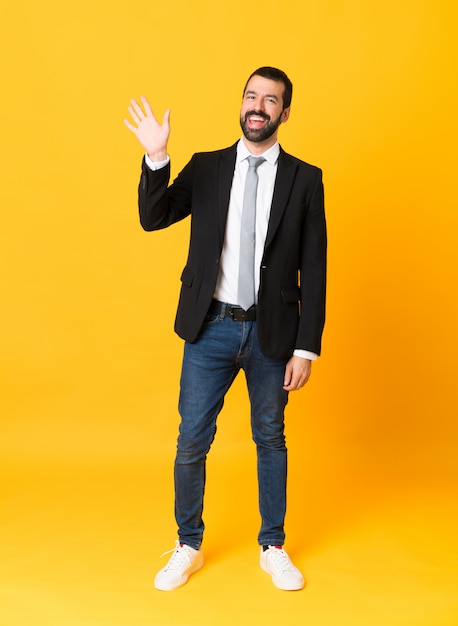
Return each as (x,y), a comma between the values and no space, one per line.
(291,298)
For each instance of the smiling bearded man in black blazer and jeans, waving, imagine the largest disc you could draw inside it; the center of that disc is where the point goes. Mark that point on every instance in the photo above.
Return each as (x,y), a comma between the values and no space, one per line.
(252,298)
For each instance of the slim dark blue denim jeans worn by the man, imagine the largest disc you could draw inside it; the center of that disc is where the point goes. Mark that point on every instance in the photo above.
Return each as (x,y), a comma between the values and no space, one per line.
(210,366)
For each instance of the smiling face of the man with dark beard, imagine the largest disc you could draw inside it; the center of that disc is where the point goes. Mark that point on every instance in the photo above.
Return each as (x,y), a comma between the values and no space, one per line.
(262,110)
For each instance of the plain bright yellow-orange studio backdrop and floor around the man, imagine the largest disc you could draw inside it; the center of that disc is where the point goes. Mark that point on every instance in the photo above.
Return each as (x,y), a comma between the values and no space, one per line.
(90,364)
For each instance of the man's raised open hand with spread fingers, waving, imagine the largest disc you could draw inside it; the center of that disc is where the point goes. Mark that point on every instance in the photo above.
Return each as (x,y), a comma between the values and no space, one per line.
(152,135)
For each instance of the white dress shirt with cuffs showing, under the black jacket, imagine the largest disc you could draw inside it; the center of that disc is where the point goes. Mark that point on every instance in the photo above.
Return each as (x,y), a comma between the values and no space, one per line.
(227,282)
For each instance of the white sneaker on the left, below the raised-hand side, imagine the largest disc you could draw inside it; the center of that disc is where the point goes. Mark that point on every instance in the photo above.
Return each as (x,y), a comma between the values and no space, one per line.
(183,562)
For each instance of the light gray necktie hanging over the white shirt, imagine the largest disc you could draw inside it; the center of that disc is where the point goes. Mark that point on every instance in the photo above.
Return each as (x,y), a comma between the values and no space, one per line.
(245,293)
